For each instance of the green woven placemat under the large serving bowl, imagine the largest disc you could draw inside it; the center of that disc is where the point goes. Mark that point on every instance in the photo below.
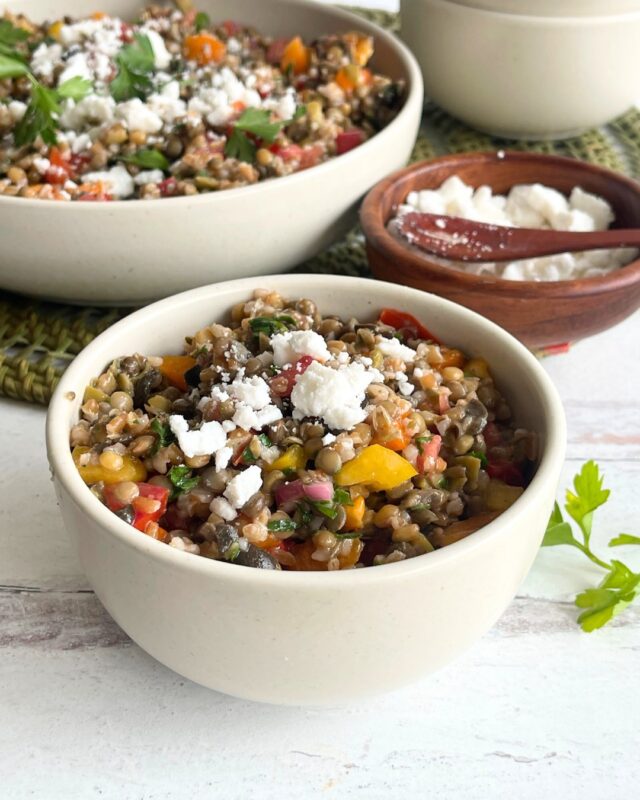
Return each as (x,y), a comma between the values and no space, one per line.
(38,340)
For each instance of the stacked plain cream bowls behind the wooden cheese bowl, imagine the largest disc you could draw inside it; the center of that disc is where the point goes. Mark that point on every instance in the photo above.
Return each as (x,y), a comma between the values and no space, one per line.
(535,69)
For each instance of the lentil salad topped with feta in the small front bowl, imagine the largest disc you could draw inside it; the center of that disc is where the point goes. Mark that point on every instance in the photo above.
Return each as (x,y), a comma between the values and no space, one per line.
(292,440)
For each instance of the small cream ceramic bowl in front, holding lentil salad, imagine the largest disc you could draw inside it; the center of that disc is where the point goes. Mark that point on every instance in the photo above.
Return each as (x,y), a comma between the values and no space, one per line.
(307,638)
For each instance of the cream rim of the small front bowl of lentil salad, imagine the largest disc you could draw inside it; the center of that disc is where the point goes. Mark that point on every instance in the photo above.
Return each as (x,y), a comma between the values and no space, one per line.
(64,471)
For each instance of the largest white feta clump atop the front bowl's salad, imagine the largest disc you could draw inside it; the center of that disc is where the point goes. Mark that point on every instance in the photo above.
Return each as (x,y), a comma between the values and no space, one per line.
(334,395)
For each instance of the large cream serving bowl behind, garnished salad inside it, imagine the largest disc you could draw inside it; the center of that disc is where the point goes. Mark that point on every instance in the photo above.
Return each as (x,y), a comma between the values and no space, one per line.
(129,252)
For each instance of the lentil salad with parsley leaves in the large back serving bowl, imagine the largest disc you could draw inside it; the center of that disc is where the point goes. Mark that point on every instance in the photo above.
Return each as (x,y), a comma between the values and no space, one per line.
(176,104)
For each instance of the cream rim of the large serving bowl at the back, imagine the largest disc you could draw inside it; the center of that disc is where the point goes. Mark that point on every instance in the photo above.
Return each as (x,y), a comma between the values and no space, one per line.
(415,91)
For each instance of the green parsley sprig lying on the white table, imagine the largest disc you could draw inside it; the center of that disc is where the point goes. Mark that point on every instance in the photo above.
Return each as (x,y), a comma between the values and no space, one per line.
(620,585)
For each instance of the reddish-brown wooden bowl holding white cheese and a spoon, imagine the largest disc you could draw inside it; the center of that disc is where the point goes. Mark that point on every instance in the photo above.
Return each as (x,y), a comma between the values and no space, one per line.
(538,313)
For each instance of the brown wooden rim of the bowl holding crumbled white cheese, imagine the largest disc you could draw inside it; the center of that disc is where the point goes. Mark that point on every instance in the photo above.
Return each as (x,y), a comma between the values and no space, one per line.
(379,237)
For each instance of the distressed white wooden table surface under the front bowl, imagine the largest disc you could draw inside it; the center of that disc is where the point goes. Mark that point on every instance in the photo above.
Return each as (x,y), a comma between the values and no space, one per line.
(536,710)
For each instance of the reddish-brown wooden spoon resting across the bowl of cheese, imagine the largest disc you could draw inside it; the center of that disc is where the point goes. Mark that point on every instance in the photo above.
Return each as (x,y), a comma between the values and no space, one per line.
(461,239)
